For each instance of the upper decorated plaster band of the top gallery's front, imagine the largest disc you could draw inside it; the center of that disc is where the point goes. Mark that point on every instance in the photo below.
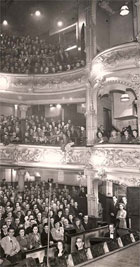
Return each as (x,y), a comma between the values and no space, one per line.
(30,84)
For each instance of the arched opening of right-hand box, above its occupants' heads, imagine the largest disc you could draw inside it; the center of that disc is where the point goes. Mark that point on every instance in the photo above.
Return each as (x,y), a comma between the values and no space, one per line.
(116,112)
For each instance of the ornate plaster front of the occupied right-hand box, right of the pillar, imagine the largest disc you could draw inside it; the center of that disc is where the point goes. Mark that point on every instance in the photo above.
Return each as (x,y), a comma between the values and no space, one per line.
(126,157)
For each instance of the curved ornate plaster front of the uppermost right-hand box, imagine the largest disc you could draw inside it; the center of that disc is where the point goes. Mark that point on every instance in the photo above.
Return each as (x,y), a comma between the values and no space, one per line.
(118,65)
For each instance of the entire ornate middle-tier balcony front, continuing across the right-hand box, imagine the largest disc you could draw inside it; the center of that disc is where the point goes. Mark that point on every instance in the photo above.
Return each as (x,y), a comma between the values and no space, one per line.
(118,163)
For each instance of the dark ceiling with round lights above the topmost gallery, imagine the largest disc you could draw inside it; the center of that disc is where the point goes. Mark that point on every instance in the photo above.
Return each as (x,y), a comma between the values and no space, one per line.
(21,18)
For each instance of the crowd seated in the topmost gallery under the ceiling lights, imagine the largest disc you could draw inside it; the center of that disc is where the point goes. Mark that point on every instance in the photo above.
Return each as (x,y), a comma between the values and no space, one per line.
(27,55)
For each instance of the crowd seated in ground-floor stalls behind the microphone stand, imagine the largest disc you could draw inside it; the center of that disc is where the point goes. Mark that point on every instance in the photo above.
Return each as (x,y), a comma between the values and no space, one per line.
(24,216)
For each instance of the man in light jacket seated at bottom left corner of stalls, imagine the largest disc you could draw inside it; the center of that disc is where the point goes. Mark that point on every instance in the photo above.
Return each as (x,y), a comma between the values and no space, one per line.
(11,246)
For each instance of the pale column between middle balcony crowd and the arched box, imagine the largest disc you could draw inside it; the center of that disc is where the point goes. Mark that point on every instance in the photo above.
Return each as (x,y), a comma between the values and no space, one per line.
(91,115)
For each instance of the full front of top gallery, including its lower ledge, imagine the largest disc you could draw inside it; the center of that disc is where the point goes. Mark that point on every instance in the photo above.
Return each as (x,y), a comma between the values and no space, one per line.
(28,89)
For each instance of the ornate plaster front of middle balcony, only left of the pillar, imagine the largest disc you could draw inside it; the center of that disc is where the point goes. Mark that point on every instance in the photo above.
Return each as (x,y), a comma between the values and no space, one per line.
(43,155)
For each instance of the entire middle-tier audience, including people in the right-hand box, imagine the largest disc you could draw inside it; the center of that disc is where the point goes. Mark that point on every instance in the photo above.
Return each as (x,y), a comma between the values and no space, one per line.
(37,130)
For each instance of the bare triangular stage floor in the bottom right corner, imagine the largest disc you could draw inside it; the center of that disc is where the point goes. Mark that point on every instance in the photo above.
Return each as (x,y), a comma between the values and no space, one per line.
(129,257)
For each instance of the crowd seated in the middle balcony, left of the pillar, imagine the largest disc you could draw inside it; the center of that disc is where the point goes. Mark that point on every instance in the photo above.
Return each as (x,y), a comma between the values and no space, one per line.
(38,131)
